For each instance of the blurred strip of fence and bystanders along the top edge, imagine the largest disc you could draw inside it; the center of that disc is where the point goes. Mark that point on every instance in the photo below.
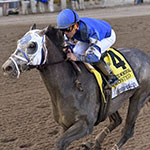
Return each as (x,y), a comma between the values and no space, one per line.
(24,7)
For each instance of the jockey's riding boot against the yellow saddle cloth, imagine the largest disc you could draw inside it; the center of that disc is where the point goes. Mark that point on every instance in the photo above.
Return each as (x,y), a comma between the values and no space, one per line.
(105,68)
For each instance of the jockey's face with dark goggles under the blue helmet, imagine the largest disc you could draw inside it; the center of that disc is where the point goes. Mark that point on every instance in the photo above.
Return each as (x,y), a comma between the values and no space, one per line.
(71,32)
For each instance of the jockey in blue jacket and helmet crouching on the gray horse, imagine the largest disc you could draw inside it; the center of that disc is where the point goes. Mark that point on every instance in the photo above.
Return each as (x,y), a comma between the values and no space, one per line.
(88,40)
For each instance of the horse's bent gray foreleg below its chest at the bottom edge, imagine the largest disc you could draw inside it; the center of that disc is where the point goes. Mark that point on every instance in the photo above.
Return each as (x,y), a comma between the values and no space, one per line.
(76,131)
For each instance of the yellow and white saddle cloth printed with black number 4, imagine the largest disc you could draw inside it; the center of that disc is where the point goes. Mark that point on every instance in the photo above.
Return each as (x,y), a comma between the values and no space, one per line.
(121,69)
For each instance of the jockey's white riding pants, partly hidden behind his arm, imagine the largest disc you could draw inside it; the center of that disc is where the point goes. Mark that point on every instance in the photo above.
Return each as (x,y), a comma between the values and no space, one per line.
(81,47)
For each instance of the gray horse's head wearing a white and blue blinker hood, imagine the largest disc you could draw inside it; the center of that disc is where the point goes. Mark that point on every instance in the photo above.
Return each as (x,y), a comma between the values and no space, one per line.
(29,52)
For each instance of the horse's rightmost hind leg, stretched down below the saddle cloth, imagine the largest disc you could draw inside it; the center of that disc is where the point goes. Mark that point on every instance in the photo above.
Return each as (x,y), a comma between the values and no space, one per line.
(136,102)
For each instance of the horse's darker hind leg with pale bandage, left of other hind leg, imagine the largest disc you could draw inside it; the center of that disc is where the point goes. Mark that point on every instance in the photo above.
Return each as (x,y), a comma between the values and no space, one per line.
(115,120)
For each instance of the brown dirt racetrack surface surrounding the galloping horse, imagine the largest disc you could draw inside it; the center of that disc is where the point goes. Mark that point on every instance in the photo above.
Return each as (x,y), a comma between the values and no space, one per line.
(26,119)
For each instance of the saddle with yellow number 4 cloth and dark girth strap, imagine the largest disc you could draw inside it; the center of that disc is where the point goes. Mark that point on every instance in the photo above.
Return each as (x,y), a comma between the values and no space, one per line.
(122,69)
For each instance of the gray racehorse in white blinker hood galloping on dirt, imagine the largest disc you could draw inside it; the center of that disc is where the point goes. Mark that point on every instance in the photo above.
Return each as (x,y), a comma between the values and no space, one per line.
(77,111)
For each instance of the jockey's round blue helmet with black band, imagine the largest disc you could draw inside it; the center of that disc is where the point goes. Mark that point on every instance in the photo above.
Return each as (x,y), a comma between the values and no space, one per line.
(66,18)
